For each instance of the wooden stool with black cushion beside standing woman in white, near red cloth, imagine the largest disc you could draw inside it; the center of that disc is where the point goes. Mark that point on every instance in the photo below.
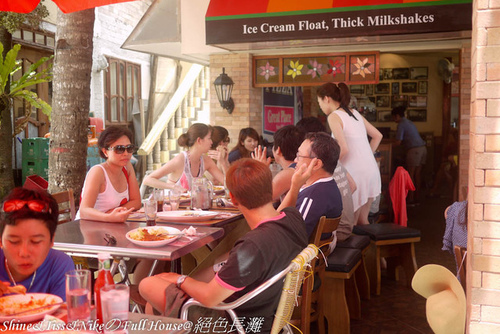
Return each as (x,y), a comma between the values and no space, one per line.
(393,242)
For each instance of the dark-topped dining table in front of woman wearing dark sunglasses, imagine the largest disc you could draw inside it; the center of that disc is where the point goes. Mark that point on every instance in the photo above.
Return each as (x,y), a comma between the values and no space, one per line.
(213,238)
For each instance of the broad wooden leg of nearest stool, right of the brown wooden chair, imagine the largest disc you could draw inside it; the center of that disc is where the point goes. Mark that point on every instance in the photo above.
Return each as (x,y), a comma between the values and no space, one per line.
(337,313)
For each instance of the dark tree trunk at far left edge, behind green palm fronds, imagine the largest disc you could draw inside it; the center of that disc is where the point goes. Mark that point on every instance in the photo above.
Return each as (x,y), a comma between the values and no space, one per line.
(6,176)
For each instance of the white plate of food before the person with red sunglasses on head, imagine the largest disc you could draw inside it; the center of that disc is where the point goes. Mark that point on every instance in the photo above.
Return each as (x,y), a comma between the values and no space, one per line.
(8,305)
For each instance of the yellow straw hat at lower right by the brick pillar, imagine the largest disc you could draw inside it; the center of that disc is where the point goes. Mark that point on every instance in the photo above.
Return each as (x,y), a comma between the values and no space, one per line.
(446,304)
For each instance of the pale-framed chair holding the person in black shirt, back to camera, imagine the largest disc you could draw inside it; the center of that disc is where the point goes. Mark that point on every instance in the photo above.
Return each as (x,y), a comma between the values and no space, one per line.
(294,276)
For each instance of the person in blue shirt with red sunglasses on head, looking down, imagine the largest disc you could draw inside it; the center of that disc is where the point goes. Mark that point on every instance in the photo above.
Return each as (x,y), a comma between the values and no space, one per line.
(27,227)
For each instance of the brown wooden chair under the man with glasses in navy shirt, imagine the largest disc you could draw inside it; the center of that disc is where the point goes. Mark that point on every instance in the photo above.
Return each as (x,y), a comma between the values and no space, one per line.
(311,309)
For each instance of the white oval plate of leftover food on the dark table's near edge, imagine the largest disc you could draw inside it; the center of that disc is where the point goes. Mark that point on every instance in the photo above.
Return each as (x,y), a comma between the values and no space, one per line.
(153,236)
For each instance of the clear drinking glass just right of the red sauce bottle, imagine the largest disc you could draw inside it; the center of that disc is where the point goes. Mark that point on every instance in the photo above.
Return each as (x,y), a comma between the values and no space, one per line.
(115,306)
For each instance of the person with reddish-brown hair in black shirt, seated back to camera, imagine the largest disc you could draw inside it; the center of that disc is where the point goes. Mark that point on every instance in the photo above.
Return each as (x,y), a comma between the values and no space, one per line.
(274,240)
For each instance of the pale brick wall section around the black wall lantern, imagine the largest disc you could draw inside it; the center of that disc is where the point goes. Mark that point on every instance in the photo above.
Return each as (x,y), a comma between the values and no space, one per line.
(247,99)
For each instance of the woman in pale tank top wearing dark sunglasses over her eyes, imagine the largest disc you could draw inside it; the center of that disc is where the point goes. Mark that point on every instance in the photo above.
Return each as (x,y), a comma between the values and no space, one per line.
(111,190)
